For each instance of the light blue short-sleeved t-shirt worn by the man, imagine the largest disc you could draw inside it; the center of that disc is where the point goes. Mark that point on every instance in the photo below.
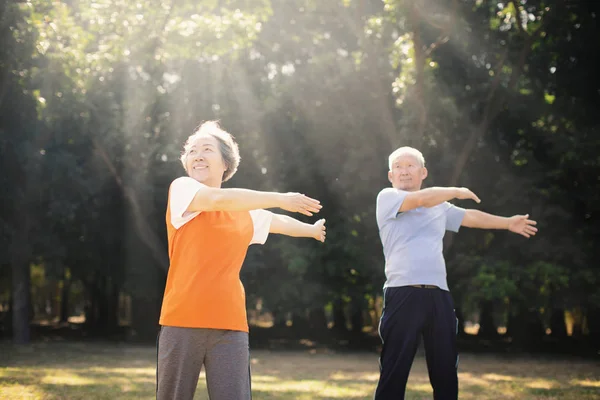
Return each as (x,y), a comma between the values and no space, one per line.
(412,240)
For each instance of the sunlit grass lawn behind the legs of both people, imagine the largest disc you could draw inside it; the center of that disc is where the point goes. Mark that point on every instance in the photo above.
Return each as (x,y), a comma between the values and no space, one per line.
(109,371)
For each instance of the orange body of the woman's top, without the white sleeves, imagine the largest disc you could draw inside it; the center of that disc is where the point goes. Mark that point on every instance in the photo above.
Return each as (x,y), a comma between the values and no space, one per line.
(203,287)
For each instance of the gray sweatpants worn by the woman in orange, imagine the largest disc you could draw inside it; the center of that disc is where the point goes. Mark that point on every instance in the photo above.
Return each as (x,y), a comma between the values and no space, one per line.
(183,351)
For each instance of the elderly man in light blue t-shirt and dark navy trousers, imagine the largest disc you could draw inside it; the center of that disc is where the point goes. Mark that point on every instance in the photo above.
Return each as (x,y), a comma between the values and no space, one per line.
(417,303)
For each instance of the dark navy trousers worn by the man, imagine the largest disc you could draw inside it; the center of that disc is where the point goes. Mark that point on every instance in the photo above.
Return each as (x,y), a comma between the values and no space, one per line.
(410,313)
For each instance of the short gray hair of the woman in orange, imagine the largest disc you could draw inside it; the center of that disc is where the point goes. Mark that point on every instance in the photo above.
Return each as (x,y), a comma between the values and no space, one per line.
(229,149)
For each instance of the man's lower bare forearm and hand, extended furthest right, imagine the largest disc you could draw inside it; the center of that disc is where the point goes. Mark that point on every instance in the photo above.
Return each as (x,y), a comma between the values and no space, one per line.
(520,224)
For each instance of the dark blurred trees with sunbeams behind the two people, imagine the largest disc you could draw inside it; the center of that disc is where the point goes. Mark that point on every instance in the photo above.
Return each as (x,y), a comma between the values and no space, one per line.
(97,98)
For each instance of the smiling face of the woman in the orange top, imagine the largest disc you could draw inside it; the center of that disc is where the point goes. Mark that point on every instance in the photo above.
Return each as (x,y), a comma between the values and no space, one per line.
(204,162)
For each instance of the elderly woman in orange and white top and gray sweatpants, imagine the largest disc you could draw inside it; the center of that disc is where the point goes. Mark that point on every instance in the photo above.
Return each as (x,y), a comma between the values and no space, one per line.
(203,317)
